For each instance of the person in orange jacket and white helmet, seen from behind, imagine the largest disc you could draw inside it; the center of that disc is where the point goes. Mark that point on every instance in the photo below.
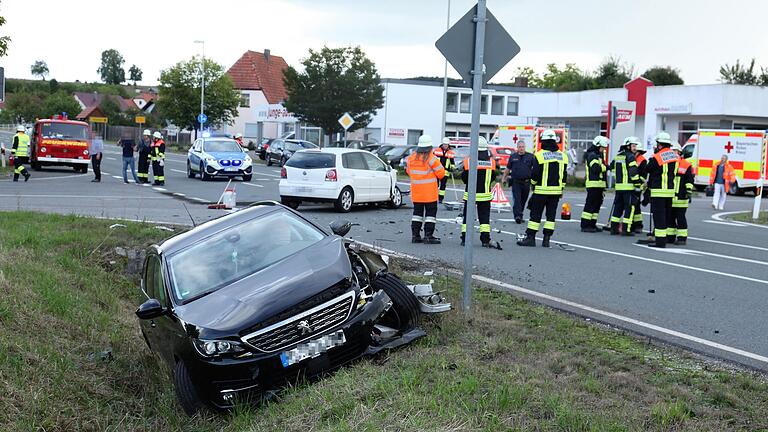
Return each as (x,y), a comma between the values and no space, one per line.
(425,172)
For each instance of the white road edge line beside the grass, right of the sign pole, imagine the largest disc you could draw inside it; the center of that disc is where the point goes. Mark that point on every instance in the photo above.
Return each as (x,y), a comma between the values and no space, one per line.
(618,317)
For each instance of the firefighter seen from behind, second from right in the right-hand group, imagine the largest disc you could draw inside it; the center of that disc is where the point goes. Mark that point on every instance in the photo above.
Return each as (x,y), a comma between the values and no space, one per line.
(662,169)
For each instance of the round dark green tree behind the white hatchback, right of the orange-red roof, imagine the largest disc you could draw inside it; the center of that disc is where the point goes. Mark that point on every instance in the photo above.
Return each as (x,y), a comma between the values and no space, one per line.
(334,81)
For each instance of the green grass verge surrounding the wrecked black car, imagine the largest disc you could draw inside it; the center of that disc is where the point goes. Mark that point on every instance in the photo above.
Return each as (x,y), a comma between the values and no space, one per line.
(513,366)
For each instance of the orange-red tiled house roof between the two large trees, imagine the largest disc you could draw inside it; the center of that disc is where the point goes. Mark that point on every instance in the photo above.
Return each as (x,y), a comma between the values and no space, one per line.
(260,71)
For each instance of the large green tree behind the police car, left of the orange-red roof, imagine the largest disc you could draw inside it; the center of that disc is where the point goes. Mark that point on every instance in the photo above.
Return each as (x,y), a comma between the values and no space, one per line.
(179,96)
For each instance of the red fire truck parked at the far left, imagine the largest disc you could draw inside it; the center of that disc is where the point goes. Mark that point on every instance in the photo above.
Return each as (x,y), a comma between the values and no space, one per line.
(59,141)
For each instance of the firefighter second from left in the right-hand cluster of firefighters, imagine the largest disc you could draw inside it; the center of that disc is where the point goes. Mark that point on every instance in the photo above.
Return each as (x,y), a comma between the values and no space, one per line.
(627,177)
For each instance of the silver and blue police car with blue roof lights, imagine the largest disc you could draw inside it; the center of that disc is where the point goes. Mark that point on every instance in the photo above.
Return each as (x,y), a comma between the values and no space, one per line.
(218,157)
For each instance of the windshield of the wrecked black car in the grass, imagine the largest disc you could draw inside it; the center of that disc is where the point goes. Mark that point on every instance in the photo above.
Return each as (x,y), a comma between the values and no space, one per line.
(238,252)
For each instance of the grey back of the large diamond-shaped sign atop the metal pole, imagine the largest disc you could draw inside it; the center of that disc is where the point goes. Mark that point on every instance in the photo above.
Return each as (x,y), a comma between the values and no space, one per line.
(458,46)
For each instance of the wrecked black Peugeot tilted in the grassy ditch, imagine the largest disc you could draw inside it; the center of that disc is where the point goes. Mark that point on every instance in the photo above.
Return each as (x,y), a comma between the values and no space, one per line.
(242,304)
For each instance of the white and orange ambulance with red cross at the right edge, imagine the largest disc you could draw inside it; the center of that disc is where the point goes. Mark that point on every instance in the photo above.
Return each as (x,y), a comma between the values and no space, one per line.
(745,150)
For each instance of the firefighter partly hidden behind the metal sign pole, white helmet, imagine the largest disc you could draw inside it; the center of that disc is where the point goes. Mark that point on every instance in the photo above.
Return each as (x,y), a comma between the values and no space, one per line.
(486,171)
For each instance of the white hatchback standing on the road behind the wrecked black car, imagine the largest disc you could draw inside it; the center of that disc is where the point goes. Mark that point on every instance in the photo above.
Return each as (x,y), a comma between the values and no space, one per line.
(344,177)
